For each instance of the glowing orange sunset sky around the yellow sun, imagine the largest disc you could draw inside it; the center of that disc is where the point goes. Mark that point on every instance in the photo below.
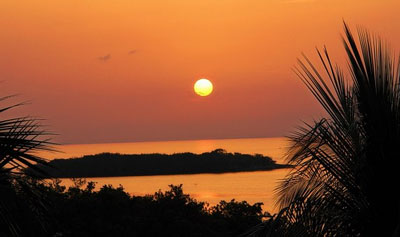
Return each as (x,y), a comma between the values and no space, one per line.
(50,53)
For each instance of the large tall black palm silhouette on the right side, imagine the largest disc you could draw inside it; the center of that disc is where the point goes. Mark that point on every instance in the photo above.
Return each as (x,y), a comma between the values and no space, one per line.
(346,176)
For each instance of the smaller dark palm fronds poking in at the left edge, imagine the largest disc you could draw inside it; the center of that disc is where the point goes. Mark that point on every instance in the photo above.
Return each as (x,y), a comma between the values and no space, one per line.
(20,138)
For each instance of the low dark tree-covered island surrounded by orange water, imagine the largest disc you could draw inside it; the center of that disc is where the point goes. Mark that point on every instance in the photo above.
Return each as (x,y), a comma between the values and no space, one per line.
(114,164)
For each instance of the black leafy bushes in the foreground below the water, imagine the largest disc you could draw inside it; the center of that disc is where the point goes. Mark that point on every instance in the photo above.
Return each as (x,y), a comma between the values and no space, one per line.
(82,211)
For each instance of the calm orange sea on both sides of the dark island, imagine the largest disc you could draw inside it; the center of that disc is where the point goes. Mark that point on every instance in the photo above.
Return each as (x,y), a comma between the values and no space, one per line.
(250,186)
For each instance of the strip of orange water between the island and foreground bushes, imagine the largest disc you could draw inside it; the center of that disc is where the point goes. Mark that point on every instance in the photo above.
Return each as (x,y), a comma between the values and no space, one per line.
(250,186)
